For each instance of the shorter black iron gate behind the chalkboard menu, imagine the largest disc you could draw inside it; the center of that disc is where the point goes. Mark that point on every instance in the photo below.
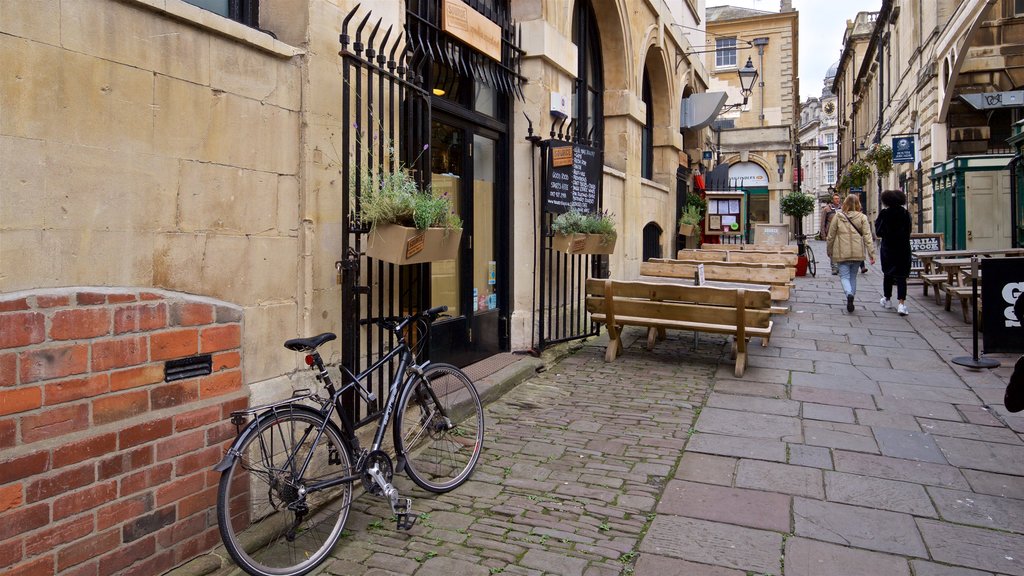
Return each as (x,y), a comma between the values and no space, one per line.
(563,277)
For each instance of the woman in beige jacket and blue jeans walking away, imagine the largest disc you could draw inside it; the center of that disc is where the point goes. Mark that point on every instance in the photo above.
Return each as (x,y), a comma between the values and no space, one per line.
(849,238)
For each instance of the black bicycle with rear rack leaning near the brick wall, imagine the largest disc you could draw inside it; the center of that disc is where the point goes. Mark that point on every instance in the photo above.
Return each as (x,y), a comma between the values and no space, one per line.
(286,484)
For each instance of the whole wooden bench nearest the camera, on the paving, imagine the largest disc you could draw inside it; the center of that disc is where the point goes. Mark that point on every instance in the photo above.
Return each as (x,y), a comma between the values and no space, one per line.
(737,312)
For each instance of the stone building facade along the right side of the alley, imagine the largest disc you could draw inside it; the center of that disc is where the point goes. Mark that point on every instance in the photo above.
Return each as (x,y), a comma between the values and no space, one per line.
(906,71)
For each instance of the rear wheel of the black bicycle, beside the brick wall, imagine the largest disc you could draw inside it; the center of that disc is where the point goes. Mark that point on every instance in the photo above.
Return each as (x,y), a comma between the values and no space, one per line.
(274,521)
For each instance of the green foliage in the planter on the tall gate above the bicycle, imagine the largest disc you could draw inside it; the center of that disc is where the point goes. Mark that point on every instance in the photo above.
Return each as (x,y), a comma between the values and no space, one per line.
(394,198)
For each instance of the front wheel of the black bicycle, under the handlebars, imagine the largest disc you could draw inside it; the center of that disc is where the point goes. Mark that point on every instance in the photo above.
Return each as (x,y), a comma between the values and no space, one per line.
(440,428)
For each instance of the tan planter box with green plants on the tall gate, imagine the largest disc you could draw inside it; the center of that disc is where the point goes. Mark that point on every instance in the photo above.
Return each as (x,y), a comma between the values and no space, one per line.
(408,226)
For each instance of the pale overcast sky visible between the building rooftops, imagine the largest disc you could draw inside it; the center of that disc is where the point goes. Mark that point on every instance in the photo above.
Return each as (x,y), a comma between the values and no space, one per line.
(822,26)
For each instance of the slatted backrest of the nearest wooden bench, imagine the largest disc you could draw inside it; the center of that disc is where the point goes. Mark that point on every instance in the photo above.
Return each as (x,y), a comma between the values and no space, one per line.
(675,303)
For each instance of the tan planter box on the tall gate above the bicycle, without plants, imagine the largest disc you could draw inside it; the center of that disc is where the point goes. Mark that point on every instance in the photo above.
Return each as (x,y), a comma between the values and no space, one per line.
(403,245)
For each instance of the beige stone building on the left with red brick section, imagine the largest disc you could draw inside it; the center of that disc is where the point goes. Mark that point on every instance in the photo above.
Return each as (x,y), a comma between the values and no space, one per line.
(197,161)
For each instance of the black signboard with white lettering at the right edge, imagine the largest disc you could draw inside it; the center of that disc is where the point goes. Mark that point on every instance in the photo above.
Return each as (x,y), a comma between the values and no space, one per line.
(1004,285)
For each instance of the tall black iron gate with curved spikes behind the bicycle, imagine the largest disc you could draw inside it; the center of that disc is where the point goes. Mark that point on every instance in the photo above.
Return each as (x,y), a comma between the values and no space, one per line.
(387,115)
